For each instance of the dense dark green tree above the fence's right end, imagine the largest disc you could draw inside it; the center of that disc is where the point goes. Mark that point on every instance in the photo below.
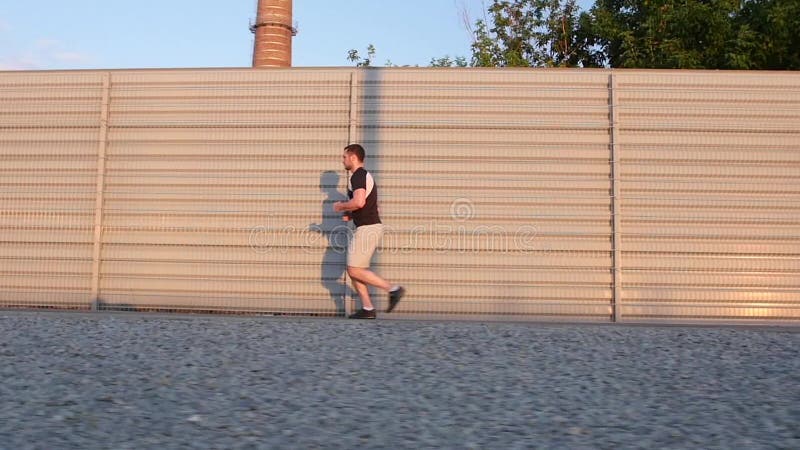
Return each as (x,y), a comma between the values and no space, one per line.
(698,34)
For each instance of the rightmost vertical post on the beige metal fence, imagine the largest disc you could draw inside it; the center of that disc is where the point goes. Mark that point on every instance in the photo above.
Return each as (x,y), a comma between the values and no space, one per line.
(613,104)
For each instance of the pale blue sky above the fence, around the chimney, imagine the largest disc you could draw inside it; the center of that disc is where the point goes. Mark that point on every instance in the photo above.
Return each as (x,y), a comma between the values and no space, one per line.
(114,34)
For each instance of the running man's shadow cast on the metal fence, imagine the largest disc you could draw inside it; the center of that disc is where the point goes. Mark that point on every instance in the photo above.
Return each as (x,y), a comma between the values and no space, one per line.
(336,232)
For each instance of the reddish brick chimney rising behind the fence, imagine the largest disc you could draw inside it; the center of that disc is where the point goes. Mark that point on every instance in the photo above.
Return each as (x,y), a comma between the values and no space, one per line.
(274,31)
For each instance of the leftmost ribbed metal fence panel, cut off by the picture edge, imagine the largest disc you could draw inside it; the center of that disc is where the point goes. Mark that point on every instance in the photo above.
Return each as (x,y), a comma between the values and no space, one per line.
(48,142)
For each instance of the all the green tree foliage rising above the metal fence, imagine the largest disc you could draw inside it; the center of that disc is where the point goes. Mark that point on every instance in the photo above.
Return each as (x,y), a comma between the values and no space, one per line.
(679,34)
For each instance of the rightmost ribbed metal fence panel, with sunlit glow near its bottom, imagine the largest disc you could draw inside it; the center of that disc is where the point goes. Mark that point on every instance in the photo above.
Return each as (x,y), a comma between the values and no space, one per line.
(710,184)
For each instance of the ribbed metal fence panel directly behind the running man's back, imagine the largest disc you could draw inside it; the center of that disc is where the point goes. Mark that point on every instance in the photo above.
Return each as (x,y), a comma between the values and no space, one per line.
(494,187)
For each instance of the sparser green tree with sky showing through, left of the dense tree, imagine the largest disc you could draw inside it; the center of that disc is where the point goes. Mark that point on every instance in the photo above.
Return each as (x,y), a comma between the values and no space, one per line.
(534,33)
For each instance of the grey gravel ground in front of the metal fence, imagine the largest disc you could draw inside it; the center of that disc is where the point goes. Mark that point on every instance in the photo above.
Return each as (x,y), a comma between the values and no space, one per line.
(137,381)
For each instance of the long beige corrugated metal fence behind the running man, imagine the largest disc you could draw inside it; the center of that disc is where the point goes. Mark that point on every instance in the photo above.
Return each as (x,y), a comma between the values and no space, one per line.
(568,194)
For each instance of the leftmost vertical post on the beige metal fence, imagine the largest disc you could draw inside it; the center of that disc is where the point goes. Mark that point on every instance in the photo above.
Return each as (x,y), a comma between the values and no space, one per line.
(100,188)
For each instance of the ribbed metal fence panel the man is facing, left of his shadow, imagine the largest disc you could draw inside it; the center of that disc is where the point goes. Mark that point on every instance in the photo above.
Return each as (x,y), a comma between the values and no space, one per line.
(213,180)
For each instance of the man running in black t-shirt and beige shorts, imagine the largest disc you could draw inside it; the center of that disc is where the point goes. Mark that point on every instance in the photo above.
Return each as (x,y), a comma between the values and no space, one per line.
(362,209)
